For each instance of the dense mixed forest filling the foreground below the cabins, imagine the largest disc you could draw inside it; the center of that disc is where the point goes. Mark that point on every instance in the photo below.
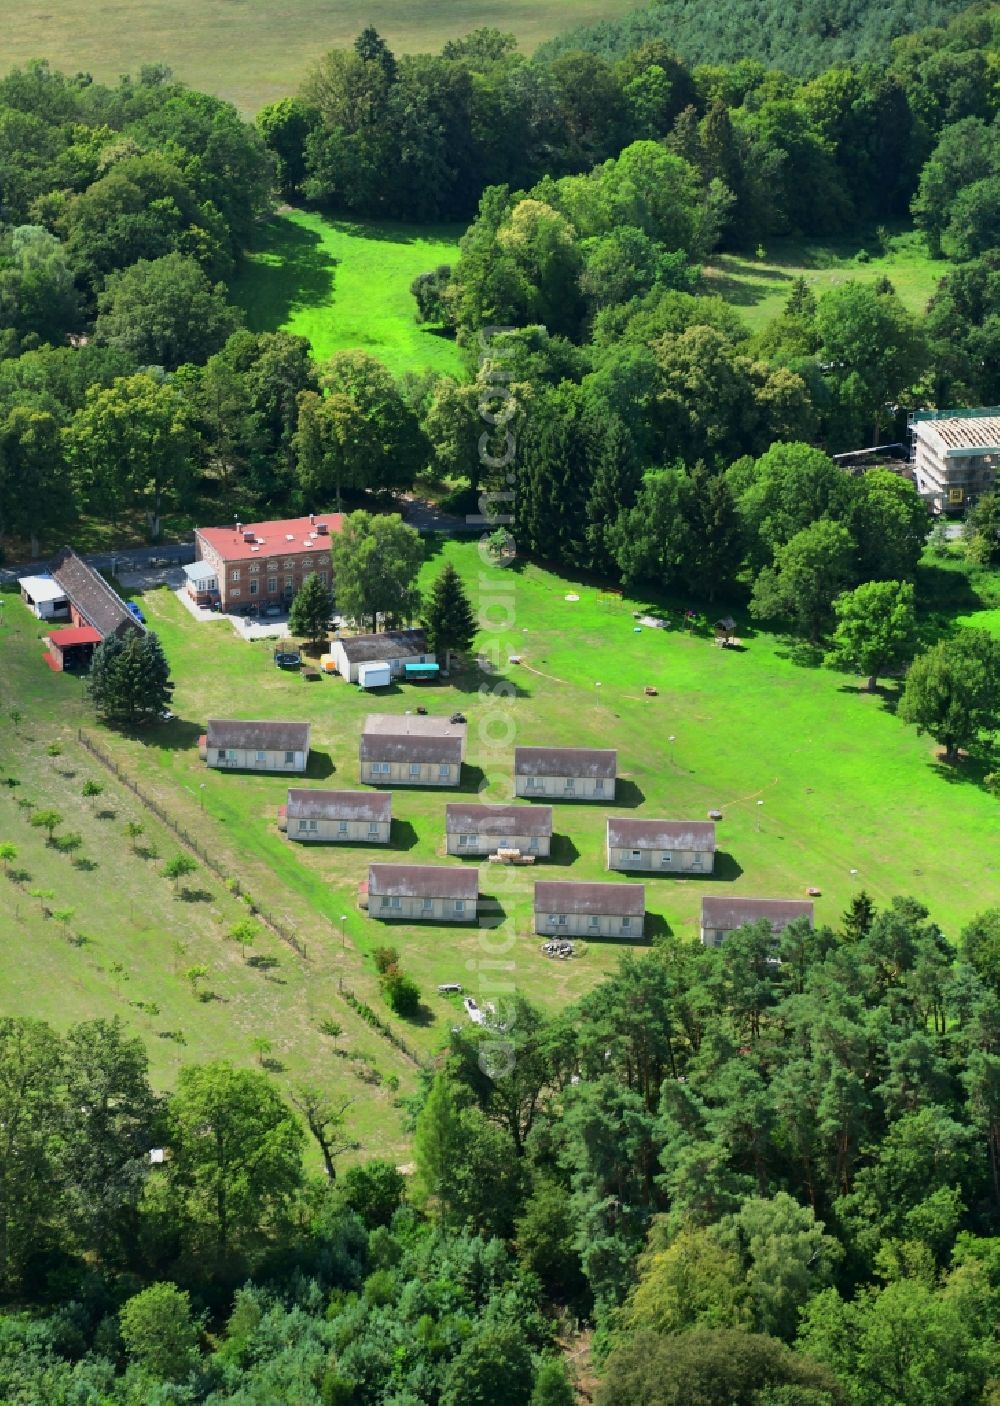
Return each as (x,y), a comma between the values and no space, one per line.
(766,1173)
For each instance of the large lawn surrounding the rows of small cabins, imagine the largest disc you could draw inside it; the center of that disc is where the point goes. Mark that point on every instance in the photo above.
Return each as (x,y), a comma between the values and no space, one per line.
(845,787)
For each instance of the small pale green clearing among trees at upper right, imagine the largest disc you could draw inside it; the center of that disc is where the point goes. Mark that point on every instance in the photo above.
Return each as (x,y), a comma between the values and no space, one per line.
(760,288)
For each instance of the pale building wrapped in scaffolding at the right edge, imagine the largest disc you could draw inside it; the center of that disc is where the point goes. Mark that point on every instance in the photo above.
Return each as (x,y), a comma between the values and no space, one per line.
(956,456)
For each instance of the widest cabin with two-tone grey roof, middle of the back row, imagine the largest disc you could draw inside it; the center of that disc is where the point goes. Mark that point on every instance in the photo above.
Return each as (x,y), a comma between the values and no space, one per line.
(411,750)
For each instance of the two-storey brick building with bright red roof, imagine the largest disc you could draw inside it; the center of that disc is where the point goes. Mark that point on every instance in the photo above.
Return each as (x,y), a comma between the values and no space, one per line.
(267,562)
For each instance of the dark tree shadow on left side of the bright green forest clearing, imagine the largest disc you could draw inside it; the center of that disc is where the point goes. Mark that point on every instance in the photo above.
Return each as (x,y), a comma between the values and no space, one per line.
(290,271)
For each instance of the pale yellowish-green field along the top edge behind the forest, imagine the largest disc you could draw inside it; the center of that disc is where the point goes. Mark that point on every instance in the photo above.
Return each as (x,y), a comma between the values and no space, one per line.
(255,51)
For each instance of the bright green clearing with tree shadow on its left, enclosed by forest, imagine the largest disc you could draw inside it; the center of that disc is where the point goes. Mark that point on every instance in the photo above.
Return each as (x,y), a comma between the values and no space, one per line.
(347,285)
